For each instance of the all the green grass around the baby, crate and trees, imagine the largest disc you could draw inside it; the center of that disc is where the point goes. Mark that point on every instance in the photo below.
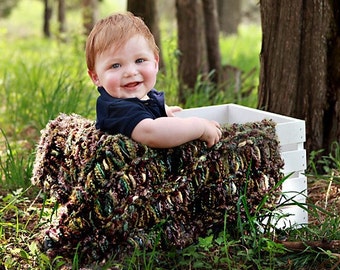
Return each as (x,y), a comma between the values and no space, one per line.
(40,78)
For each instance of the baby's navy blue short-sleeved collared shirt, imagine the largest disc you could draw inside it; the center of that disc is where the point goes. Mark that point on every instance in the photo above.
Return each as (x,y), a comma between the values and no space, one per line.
(121,115)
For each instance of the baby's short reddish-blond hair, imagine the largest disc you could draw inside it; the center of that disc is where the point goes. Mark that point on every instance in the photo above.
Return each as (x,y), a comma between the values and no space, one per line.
(115,30)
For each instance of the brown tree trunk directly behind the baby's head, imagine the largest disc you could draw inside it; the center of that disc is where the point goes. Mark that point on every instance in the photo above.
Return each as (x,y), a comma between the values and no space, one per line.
(147,10)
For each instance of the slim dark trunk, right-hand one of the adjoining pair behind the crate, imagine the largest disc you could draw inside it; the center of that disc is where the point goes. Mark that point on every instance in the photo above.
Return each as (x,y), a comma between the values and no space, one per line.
(212,39)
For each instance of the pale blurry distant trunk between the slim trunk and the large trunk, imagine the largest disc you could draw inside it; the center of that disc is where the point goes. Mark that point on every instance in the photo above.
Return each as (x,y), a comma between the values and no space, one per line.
(229,15)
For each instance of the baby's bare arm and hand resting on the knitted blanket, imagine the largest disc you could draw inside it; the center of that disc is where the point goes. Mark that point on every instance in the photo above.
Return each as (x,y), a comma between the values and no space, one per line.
(167,132)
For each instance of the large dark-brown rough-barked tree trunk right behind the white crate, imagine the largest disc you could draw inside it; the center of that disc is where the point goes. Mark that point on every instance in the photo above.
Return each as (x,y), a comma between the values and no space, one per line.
(300,65)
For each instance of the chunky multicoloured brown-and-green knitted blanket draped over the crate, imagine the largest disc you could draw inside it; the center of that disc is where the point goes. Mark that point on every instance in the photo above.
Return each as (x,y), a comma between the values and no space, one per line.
(116,194)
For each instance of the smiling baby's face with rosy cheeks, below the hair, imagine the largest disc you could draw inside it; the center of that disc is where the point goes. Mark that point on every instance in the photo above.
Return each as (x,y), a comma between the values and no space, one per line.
(127,72)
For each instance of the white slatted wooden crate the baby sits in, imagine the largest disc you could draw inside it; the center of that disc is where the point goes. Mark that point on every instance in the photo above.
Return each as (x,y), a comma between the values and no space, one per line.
(291,134)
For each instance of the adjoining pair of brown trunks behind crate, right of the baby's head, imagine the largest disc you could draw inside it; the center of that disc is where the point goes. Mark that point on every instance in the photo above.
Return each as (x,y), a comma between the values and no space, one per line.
(194,59)
